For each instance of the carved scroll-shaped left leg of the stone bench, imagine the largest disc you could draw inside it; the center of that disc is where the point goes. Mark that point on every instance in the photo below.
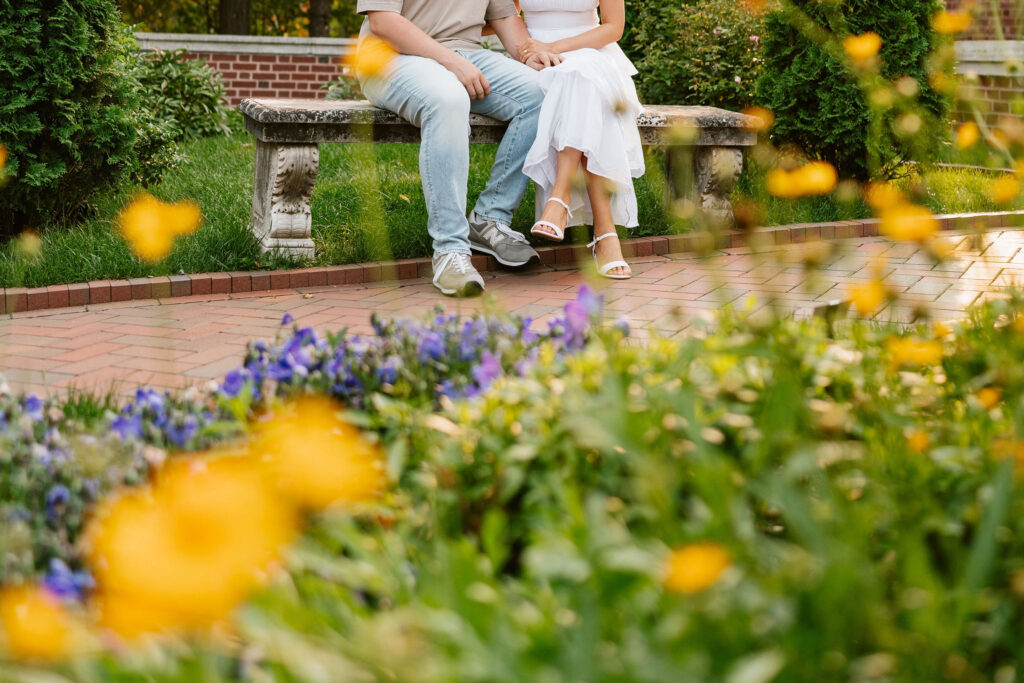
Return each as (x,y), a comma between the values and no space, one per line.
(285,179)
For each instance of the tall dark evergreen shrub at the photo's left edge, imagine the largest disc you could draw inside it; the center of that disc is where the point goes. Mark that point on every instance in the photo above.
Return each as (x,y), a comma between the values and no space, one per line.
(71,116)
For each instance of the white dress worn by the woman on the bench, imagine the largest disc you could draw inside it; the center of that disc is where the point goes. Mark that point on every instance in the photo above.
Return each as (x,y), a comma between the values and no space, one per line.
(591,105)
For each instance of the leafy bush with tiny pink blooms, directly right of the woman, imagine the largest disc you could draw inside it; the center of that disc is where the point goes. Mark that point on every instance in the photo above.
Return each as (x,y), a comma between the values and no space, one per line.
(696,54)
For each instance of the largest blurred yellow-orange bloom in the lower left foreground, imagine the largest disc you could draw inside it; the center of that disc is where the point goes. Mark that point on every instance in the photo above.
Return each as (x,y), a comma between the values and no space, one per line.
(184,553)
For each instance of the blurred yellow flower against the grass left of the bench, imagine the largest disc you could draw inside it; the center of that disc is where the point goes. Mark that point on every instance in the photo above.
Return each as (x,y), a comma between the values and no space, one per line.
(151,227)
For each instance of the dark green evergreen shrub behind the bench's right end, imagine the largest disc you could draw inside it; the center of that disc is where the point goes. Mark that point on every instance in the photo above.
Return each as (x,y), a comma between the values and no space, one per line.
(824,109)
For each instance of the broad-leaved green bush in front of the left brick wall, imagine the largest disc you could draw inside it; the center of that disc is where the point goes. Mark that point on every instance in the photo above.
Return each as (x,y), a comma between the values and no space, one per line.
(187,94)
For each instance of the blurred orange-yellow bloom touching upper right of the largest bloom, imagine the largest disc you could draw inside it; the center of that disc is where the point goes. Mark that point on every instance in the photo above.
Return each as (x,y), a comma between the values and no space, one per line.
(317,458)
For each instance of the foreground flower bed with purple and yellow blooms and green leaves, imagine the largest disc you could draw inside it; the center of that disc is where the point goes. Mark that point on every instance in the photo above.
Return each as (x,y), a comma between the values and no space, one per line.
(772,500)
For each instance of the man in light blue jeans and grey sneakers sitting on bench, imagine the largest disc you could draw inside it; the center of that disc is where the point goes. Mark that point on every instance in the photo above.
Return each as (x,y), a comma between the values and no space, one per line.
(442,74)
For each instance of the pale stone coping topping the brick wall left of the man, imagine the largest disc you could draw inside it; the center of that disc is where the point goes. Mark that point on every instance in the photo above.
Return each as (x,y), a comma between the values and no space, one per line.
(201,44)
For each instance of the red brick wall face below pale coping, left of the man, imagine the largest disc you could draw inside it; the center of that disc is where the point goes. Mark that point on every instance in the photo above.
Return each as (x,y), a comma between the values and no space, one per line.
(273,75)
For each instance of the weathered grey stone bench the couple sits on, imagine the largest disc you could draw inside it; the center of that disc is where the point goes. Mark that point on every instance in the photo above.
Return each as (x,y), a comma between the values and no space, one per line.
(289,133)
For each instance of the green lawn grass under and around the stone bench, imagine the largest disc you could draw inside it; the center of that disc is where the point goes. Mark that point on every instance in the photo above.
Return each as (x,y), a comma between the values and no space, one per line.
(368,206)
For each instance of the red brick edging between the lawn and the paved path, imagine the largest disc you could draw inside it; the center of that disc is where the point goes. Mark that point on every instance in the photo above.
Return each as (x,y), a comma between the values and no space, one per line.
(20,300)
